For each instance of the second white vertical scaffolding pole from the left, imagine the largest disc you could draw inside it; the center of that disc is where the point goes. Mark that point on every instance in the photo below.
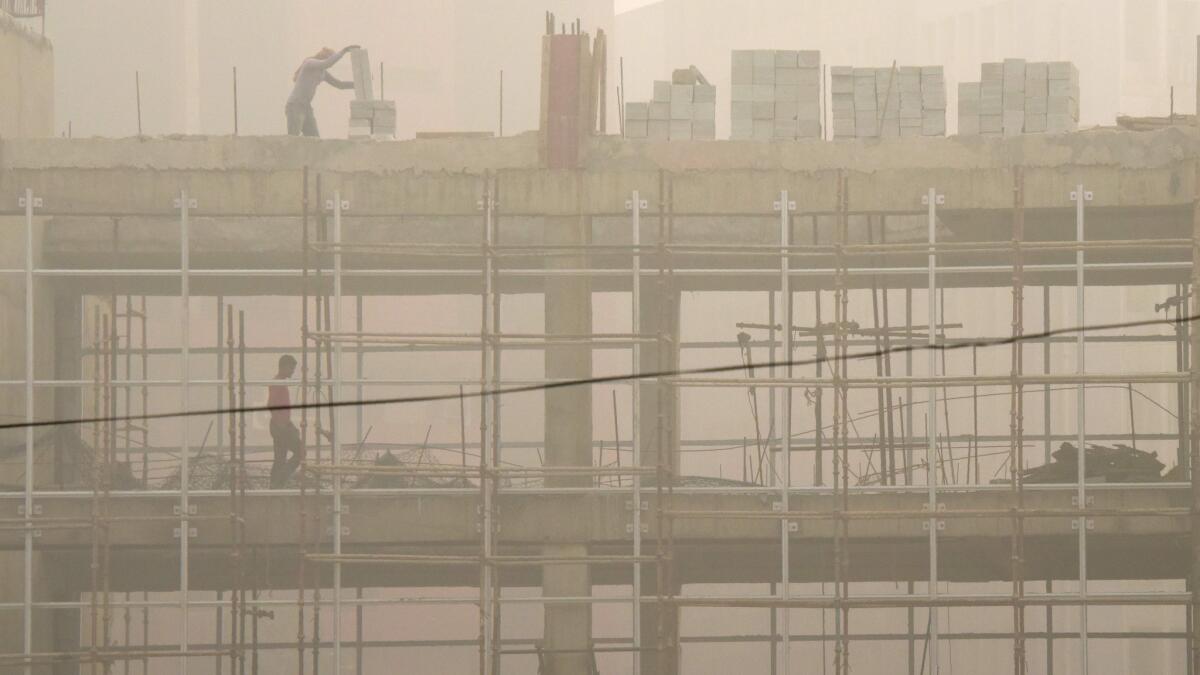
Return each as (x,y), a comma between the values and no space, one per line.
(184,205)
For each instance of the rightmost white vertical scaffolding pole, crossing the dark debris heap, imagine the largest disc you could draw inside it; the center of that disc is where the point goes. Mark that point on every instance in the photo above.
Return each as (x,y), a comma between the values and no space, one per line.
(1079,198)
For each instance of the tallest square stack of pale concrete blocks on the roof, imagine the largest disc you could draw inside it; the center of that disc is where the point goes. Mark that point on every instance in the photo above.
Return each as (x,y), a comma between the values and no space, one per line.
(777,95)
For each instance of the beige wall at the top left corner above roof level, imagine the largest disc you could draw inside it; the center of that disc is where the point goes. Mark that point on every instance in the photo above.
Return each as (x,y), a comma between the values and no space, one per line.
(27,82)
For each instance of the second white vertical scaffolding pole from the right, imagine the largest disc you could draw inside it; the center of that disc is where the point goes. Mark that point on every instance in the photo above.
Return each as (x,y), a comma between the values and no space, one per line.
(932,201)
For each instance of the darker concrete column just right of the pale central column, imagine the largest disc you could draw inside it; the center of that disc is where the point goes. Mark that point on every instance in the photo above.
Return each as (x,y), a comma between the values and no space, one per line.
(659,423)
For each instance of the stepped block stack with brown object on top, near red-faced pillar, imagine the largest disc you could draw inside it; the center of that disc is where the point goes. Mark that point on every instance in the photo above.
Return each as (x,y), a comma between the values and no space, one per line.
(682,110)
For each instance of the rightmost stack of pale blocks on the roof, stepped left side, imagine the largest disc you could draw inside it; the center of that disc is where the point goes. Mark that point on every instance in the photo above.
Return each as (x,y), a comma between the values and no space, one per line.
(1017,98)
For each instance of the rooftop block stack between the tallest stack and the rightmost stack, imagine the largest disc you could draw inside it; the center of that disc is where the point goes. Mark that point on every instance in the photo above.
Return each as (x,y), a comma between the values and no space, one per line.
(889,103)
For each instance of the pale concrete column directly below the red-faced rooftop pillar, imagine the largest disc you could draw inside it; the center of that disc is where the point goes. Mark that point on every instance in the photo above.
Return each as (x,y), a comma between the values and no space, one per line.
(568,444)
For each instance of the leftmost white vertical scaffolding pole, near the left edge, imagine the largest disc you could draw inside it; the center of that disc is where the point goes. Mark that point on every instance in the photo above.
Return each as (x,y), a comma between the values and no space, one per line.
(28,617)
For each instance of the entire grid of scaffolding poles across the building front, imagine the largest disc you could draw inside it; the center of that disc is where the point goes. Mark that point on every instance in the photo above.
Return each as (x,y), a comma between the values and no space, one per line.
(326,482)
